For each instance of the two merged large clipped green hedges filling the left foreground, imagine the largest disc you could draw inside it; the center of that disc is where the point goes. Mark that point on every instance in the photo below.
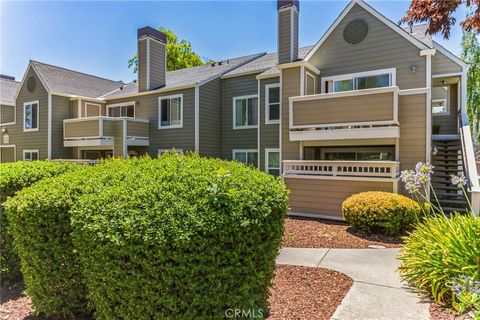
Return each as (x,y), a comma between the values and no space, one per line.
(176,237)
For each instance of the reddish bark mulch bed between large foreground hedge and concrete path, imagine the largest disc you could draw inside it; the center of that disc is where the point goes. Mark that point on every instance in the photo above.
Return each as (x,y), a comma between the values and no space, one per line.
(306,293)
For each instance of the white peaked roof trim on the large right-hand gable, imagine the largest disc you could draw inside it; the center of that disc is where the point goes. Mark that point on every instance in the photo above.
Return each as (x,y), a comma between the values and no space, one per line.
(377,15)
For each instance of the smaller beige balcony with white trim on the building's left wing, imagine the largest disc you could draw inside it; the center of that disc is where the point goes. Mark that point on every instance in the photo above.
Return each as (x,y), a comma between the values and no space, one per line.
(105,131)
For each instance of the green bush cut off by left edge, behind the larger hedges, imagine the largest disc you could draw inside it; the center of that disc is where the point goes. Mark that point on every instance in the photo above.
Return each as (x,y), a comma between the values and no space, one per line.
(14,177)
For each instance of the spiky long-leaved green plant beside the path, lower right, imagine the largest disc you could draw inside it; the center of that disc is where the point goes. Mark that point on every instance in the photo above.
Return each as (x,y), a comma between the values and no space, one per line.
(440,255)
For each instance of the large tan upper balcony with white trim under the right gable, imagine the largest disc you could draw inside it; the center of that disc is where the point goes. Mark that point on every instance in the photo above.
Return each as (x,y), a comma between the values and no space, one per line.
(362,114)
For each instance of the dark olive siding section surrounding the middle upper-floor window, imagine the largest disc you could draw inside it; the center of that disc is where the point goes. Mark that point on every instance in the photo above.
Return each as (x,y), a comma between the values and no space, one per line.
(239,138)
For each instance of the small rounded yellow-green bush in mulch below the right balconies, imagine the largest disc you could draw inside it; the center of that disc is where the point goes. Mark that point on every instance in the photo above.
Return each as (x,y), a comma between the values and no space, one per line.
(380,212)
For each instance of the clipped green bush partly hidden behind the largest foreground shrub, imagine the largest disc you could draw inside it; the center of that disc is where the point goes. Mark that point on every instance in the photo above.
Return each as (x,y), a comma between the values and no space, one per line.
(40,222)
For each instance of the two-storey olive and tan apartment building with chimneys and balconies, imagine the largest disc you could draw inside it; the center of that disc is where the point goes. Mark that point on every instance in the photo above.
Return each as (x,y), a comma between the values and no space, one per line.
(342,116)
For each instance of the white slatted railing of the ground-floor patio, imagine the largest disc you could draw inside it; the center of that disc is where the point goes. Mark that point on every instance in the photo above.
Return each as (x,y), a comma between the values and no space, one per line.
(371,169)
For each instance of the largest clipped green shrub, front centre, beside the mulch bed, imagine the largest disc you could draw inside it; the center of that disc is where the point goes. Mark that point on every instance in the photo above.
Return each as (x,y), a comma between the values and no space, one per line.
(185,238)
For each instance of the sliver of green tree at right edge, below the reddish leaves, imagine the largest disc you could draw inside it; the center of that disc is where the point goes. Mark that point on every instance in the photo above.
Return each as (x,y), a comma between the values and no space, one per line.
(471,55)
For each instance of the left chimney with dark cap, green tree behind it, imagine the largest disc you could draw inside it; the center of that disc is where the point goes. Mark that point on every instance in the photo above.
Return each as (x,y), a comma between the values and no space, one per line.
(152,59)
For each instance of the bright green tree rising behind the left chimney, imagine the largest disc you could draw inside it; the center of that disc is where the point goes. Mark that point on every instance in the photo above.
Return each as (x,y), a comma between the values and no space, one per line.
(179,53)
